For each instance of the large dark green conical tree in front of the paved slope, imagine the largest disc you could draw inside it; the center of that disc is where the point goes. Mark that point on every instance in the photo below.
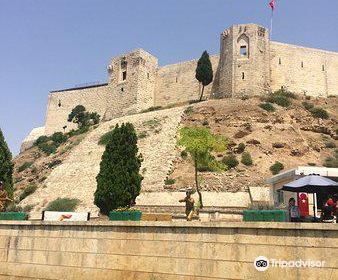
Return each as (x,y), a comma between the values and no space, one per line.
(119,180)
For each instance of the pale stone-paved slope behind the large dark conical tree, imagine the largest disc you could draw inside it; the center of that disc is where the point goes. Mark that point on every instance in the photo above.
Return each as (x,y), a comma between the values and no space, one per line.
(75,176)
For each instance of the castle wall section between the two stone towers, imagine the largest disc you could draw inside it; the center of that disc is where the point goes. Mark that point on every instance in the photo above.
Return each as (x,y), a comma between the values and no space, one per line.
(176,83)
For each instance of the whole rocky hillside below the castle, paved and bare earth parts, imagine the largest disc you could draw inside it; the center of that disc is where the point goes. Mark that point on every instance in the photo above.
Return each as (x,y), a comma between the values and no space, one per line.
(290,135)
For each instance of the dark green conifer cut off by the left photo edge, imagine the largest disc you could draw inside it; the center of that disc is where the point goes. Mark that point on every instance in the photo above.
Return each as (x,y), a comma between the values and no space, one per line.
(6,166)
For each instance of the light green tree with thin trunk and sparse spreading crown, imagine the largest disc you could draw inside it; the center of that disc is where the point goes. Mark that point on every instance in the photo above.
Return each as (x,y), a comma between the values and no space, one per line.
(199,142)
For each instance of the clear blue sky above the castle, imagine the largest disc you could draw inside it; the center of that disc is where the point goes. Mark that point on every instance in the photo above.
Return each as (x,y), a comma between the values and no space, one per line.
(47,45)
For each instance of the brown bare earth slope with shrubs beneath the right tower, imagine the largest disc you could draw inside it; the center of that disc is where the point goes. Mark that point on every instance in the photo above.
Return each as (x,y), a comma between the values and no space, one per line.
(294,127)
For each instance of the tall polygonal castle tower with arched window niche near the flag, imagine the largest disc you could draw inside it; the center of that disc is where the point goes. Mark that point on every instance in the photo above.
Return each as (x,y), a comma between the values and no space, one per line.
(244,67)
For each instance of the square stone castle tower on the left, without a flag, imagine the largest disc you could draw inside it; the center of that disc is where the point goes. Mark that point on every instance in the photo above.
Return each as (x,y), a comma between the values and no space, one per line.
(132,79)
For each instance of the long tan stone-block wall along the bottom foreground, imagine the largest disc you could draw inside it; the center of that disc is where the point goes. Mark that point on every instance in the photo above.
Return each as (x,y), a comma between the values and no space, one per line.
(163,250)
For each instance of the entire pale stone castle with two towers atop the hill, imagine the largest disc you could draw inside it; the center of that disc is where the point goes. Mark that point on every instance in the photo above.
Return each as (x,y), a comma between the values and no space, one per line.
(249,63)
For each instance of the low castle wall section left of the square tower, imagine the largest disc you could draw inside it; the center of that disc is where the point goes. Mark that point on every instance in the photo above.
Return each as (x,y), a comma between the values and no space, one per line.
(60,104)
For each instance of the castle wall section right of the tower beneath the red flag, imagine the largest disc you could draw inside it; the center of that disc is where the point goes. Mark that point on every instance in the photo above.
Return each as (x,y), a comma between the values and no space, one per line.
(304,70)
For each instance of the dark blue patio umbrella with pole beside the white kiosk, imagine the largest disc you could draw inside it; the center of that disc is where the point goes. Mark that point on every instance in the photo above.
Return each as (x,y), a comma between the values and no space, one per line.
(312,184)
